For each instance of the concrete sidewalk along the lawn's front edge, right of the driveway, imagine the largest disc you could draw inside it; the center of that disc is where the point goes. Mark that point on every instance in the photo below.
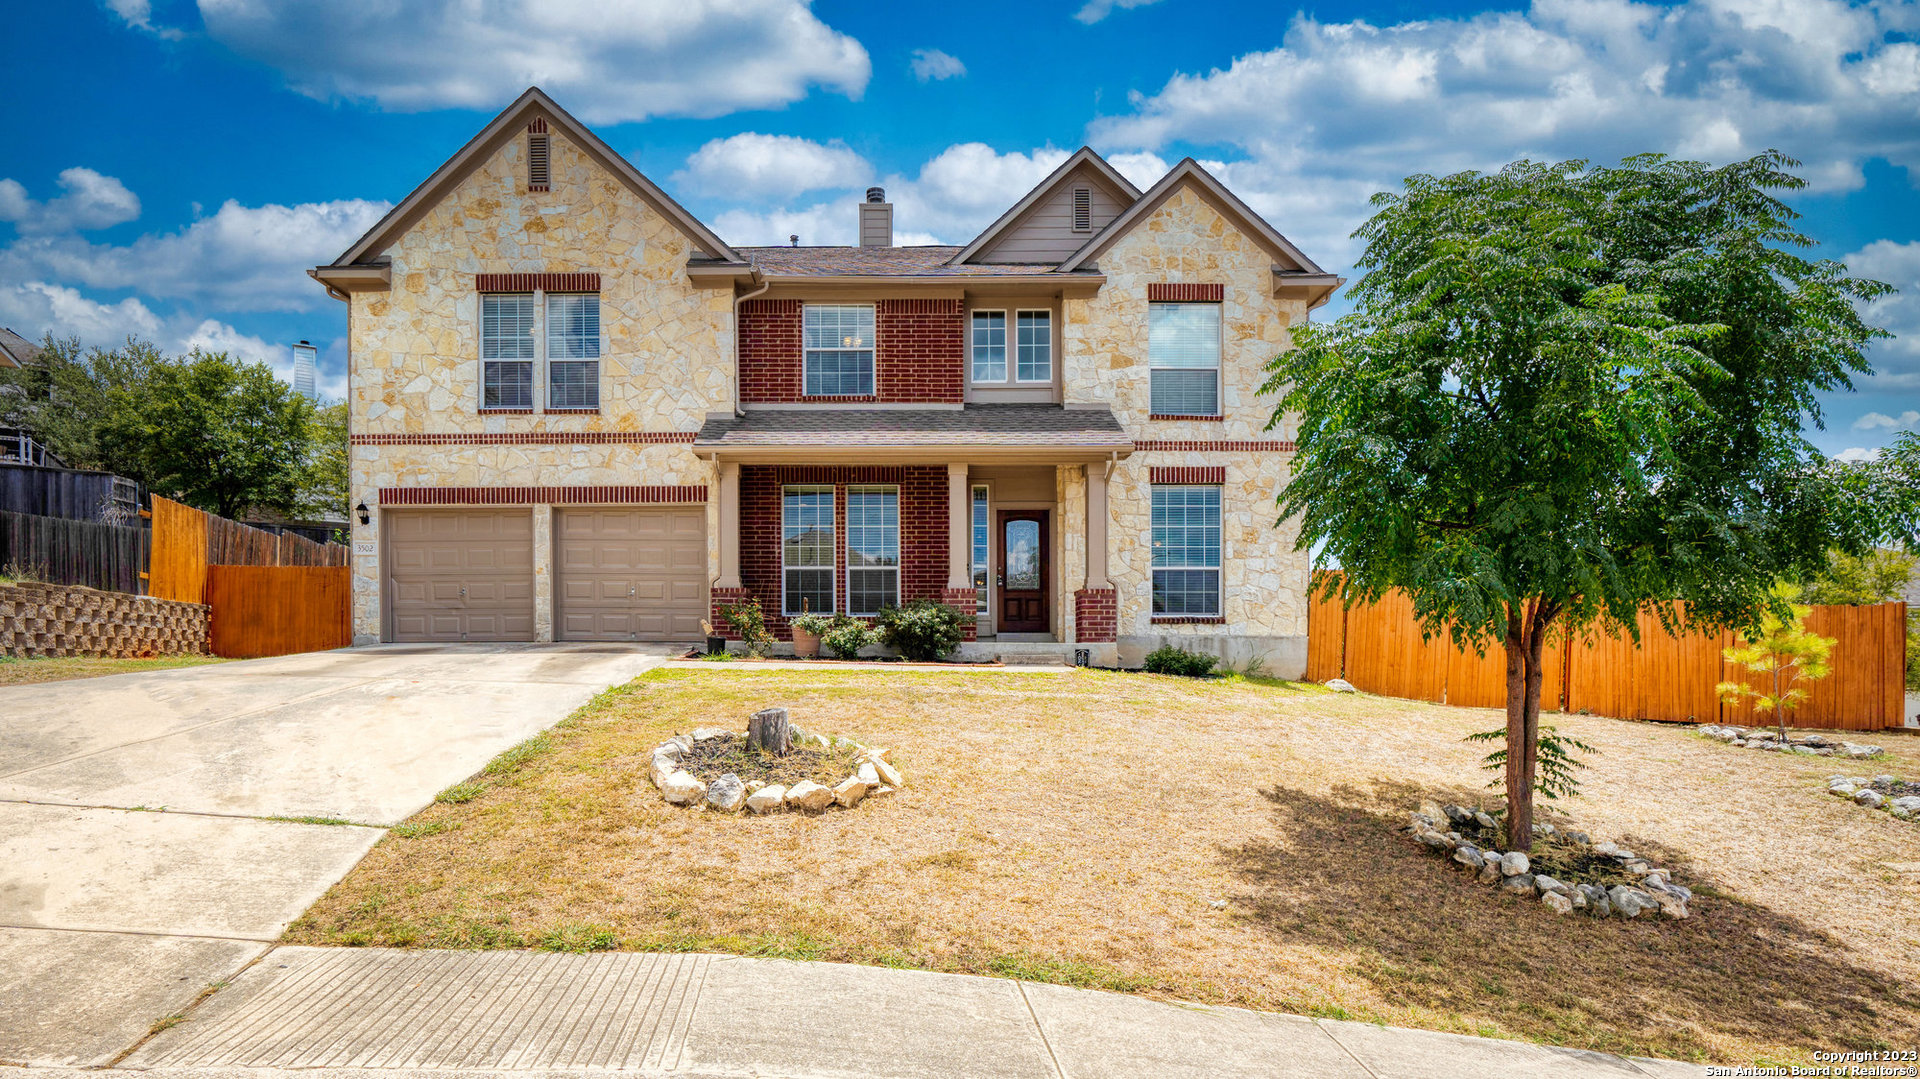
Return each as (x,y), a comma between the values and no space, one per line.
(389,1013)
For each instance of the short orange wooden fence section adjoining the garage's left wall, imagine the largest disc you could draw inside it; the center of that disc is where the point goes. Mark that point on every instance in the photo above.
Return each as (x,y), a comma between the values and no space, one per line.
(264,611)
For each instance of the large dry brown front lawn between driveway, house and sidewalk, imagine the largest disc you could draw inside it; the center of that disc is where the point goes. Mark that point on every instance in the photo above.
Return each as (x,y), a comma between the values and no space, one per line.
(1080,827)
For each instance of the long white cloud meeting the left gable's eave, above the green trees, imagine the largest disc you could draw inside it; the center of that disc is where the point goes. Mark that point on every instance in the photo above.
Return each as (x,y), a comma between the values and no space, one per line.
(247,258)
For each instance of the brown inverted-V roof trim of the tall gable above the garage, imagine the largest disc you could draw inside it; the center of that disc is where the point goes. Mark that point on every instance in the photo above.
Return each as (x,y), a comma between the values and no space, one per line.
(510,124)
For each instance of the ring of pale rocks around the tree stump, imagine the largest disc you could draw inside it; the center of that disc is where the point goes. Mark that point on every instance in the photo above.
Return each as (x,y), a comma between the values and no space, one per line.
(873,777)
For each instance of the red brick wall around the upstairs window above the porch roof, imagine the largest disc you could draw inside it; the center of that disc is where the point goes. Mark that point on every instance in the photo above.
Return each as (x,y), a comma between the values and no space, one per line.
(919,352)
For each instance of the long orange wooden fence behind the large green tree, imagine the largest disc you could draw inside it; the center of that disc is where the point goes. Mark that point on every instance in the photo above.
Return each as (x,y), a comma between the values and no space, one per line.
(1381,650)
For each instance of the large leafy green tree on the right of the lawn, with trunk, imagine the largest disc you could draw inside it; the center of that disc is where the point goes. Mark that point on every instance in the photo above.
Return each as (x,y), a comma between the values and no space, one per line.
(1570,395)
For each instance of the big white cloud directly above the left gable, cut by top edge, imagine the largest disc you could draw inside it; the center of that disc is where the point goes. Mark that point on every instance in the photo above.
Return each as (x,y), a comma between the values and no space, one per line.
(606,60)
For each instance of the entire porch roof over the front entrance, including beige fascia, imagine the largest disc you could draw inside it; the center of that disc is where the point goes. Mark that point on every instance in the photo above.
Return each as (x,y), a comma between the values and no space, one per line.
(1034,433)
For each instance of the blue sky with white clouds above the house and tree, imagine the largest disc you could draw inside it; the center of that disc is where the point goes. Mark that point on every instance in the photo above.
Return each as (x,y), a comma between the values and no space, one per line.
(176,166)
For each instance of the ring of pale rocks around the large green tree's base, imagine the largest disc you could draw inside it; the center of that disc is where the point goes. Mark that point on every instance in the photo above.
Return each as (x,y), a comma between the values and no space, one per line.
(1512,871)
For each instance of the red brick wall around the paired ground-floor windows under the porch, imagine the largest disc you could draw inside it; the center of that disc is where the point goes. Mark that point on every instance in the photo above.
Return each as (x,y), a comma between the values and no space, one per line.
(923,529)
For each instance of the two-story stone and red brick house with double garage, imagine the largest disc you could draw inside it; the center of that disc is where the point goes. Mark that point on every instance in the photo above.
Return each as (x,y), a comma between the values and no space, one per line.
(579,414)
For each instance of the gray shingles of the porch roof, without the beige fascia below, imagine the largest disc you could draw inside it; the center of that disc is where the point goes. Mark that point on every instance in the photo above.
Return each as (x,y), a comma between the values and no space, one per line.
(974,425)
